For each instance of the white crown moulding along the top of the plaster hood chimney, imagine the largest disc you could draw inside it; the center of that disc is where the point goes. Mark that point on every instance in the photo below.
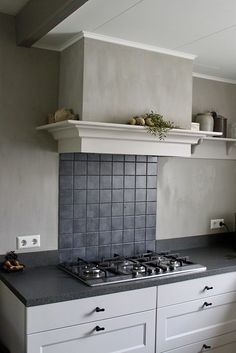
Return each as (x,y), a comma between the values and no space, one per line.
(114,40)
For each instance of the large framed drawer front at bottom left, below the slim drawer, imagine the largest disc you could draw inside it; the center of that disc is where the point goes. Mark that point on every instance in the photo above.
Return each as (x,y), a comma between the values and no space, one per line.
(132,333)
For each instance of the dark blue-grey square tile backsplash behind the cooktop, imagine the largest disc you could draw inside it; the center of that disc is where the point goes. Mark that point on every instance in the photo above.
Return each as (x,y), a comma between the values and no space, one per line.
(107,205)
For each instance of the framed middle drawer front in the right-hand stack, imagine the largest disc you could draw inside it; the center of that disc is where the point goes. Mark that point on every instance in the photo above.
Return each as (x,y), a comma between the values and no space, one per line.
(185,323)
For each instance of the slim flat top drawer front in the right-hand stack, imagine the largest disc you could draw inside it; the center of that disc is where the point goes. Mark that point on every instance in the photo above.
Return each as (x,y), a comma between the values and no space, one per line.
(180,292)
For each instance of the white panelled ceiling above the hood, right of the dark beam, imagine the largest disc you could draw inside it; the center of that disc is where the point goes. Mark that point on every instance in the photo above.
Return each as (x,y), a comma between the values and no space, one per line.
(206,28)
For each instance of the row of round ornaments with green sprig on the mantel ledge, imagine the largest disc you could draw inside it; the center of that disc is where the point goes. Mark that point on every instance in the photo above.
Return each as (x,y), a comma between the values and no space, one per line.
(154,123)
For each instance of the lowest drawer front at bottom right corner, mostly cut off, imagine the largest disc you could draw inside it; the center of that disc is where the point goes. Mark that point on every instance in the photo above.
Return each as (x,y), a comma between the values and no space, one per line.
(220,344)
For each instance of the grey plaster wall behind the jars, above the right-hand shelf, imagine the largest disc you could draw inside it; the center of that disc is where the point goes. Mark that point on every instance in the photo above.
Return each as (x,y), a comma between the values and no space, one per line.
(214,95)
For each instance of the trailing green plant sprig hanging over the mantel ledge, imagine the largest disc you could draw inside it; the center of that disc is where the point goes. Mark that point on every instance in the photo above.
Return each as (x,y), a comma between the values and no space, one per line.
(159,126)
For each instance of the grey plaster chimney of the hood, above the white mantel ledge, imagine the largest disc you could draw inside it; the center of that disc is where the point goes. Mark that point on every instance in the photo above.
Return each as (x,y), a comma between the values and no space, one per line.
(119,82)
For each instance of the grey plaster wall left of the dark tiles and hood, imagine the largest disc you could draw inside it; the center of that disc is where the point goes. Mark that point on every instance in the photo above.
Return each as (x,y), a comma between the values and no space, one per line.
(28,159)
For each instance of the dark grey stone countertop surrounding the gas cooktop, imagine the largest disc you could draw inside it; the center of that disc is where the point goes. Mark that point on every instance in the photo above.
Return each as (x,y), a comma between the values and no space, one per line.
(48,284)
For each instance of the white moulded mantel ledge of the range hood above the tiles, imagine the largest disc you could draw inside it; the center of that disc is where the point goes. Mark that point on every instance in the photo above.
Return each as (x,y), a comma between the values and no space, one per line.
(95,137)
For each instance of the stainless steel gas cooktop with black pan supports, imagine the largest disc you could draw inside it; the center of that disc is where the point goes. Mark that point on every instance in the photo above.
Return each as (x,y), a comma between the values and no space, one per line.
(121,269)
